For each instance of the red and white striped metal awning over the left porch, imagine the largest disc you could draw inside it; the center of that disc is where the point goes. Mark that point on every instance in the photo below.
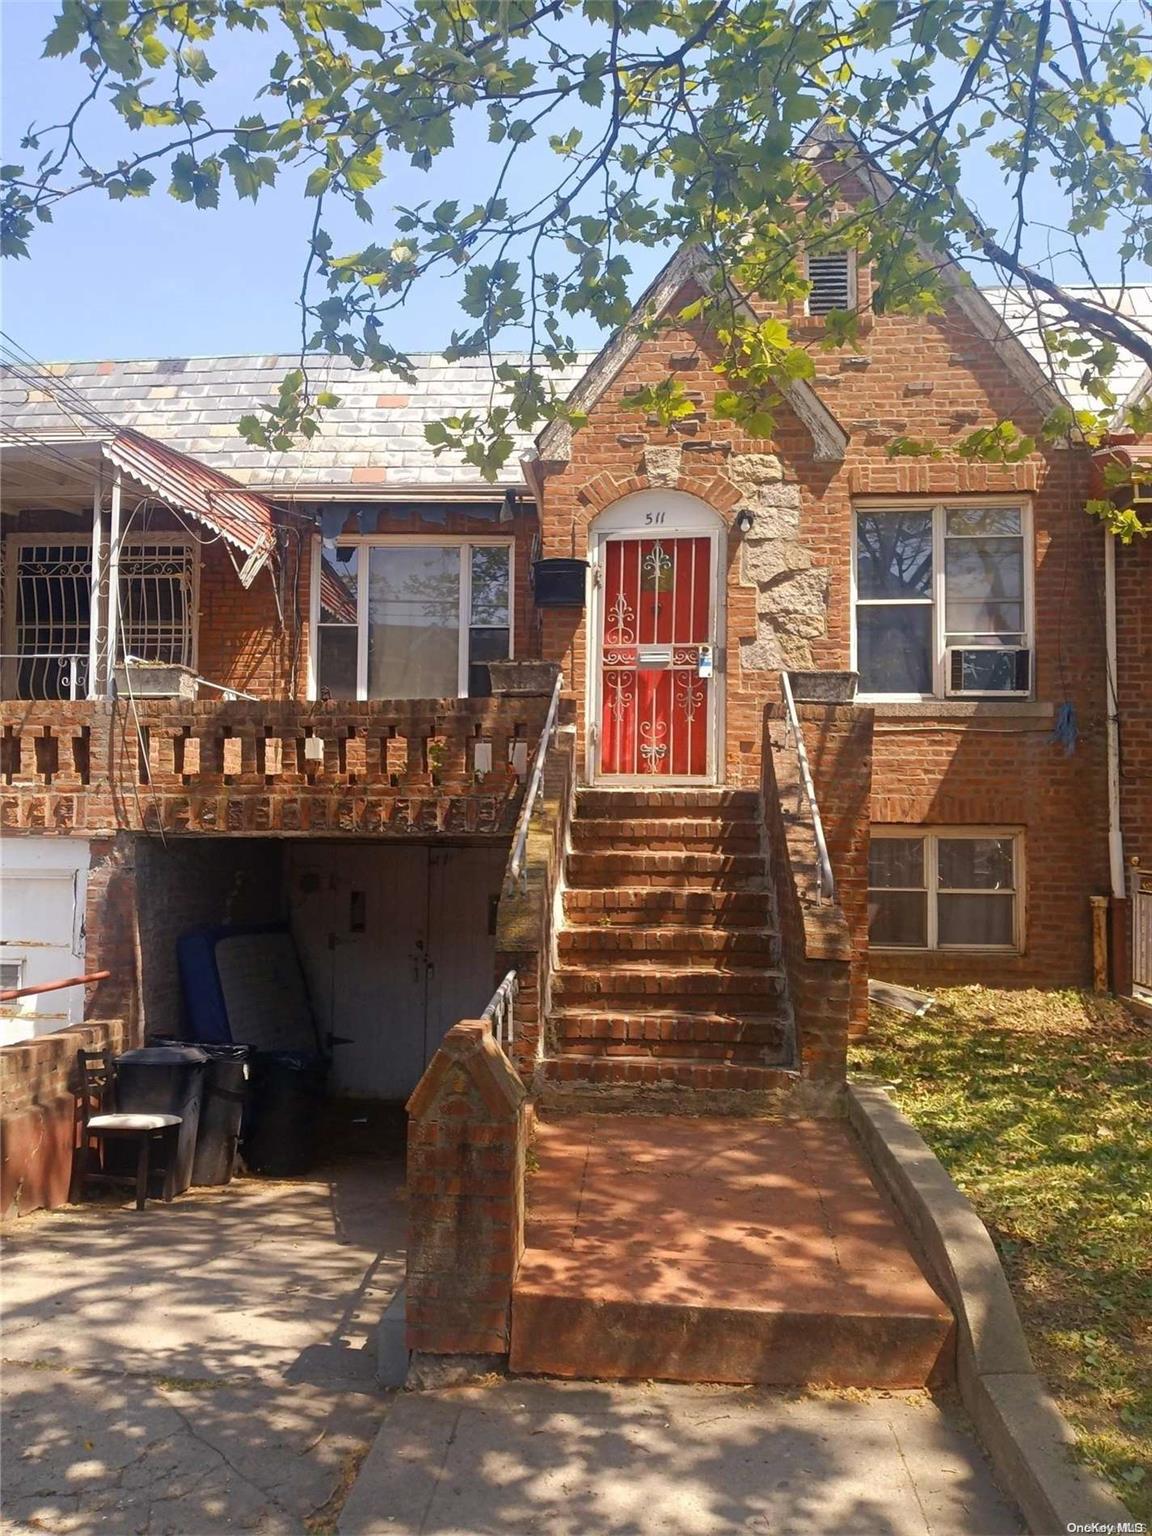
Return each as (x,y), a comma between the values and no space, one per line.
(220,503)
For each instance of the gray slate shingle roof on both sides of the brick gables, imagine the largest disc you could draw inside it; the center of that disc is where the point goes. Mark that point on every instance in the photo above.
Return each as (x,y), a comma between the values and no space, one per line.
(374,442)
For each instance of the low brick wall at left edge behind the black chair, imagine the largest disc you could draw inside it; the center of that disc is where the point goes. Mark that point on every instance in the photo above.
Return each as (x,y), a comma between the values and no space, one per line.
(39,1113)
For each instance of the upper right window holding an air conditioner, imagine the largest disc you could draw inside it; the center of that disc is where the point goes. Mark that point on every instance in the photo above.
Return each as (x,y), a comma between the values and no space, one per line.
(942,601)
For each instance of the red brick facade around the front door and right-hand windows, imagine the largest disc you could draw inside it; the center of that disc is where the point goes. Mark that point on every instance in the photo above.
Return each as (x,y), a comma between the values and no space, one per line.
(924,379)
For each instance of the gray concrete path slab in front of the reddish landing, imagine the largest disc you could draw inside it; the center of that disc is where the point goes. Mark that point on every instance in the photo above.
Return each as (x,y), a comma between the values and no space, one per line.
(594,1460)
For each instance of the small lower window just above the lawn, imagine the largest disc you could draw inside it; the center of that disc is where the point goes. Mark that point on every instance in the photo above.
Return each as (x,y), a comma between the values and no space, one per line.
(944,890)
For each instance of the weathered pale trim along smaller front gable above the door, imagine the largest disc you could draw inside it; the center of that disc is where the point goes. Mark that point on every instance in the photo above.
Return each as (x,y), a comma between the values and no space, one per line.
(689,265)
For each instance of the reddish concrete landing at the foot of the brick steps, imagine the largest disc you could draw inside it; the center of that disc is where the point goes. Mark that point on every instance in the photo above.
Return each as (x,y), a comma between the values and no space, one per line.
(718,1250)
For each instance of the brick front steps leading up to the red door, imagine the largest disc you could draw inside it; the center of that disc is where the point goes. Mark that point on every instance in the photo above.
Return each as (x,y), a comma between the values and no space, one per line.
(669,967)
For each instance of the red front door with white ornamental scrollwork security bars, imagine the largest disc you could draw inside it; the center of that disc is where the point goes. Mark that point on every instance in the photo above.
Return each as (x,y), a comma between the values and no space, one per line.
(657,647)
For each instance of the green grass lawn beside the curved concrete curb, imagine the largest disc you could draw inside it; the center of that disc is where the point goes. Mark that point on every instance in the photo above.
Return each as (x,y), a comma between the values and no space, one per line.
(1041,1107)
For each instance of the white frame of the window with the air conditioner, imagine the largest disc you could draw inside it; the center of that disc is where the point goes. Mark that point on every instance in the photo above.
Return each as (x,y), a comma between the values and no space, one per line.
(939,511)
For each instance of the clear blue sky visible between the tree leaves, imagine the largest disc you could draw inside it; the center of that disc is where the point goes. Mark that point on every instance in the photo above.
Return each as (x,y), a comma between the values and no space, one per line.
(157,279)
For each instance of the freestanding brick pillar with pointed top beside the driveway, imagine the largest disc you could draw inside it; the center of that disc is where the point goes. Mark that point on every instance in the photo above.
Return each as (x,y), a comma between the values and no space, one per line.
(469,1124)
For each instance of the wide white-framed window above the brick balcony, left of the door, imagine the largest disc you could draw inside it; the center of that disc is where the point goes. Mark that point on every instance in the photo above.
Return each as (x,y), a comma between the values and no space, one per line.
(411,620)
